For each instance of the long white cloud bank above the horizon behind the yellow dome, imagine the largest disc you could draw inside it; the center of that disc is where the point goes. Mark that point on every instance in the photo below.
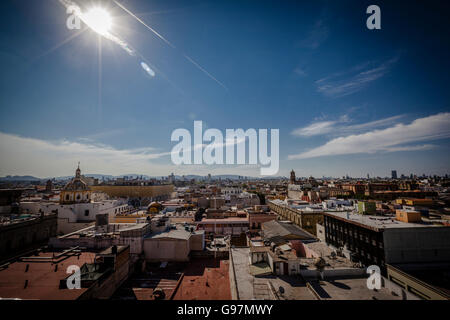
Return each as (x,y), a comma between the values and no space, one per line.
(23,155)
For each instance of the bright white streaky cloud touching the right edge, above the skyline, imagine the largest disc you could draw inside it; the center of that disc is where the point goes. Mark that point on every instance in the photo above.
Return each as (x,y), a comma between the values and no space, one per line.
(396,138)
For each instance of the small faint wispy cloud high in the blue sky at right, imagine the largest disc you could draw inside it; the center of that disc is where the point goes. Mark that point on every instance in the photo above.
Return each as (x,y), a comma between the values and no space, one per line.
(346,83)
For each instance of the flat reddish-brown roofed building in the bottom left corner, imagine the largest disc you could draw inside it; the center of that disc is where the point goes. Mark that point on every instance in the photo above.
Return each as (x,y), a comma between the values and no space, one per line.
(44,275)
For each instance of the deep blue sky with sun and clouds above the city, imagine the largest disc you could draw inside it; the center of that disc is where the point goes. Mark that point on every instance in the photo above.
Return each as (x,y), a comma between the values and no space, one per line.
(347,100)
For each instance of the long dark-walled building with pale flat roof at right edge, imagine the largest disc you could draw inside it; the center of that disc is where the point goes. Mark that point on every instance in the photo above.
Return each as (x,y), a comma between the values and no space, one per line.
(375,240)
